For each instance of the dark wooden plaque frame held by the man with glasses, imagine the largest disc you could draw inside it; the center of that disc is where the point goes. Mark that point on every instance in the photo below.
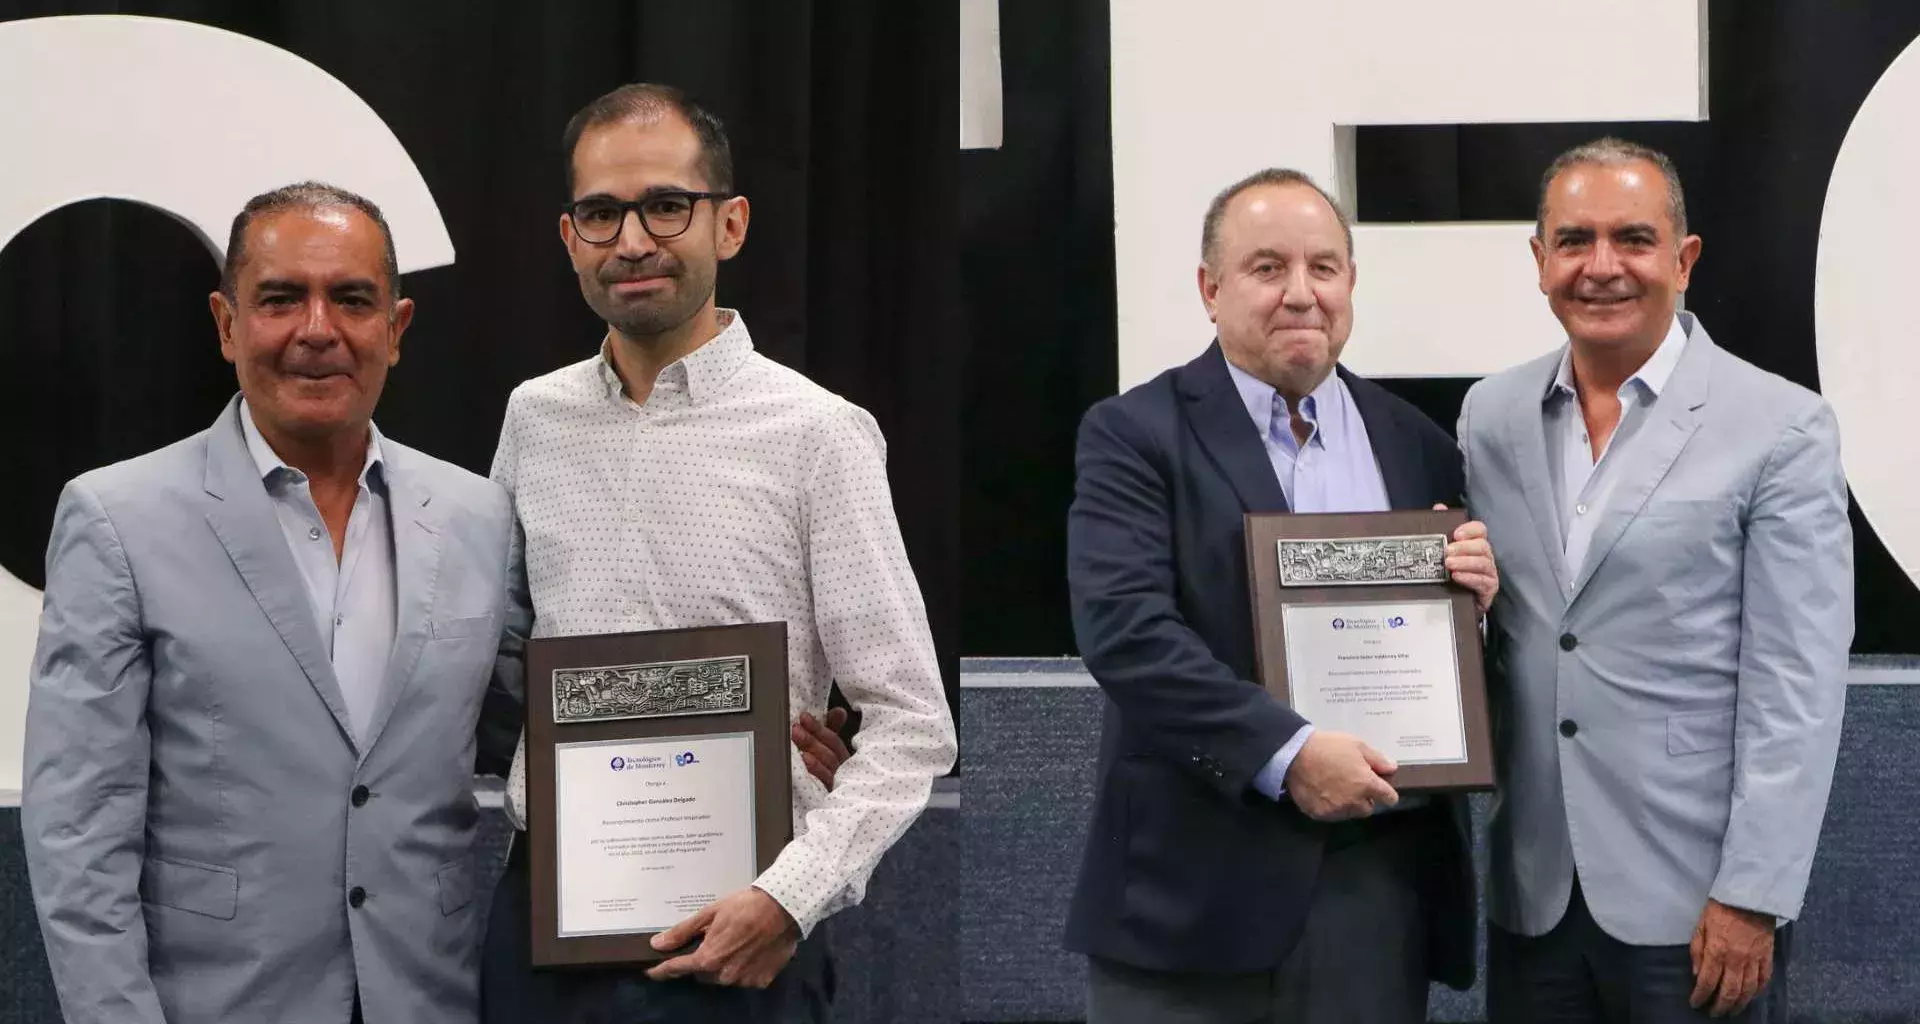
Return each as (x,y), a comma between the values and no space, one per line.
(767,718)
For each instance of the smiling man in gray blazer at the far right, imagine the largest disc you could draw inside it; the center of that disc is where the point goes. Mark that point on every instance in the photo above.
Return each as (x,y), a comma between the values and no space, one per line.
(1671,637)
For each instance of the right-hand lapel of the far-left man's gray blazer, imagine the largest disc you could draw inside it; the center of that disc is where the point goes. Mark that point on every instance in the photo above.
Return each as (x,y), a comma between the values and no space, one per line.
(416,575)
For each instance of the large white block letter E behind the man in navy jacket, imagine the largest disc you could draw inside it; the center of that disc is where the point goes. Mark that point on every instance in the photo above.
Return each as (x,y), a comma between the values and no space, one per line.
(1209,91)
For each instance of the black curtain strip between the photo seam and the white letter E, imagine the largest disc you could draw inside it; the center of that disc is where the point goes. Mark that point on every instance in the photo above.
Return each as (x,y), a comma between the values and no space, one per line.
(1038,268)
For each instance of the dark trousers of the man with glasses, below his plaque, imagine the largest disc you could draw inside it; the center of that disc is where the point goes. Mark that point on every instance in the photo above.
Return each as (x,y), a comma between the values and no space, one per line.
(512,992)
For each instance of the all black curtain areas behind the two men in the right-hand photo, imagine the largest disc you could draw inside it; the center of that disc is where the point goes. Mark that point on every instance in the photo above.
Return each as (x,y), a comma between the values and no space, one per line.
(1787,80)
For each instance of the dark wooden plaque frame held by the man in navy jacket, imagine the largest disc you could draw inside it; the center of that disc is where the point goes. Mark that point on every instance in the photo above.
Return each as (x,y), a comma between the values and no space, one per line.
(1264,531)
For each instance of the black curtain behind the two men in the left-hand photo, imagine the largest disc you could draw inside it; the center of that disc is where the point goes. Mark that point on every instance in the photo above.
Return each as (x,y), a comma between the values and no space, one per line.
(844,120)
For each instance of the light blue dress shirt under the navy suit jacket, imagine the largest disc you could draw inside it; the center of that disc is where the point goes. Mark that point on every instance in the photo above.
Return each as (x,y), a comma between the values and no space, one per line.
(1333,472)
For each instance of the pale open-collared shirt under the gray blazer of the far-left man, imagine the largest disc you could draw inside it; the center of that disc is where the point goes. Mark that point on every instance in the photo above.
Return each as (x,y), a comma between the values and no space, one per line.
(354,602)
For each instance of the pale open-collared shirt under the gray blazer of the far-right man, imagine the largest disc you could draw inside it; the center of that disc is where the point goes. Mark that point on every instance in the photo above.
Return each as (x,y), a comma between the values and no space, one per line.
(1583,485)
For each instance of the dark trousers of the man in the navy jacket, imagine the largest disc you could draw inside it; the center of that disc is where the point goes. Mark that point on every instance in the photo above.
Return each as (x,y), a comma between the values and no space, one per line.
(1362,958)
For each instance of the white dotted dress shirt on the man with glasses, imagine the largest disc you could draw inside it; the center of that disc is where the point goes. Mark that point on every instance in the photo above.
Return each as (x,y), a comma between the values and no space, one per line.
(742,493)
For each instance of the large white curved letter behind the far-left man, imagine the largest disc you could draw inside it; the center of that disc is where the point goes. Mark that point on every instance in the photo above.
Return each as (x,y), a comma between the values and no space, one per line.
(168,114)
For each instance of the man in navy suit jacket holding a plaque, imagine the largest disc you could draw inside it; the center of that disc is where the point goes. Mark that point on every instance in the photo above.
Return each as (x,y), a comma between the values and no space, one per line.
(1243,866)
